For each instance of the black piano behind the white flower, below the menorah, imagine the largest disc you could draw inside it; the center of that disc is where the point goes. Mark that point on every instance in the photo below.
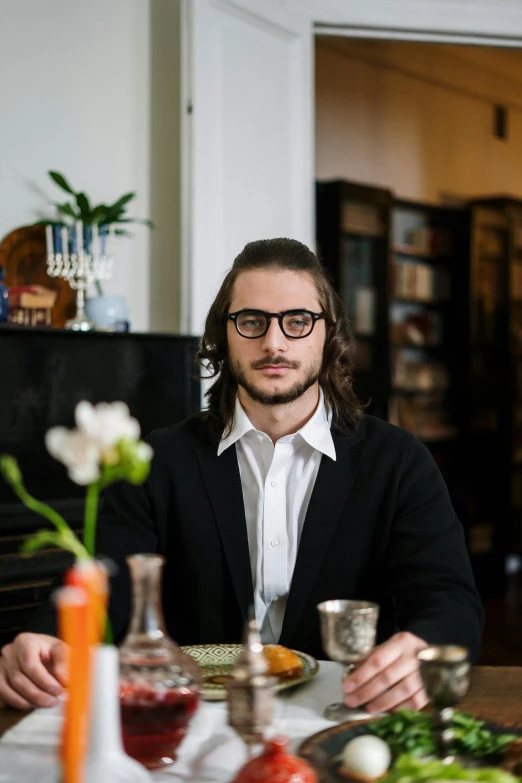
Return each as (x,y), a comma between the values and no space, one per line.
(44,373)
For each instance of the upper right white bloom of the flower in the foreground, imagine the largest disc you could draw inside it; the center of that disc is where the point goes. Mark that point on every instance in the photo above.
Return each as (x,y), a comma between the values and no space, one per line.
(106,423)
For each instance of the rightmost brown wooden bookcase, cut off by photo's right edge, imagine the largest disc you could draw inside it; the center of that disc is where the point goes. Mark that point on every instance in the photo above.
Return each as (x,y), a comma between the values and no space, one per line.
(495,511)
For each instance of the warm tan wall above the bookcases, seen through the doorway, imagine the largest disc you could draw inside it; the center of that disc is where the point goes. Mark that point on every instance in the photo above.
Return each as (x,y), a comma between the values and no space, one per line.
(382,127)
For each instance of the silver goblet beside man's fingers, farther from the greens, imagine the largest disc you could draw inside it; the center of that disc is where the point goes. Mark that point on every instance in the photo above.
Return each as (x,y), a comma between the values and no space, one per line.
(348,630)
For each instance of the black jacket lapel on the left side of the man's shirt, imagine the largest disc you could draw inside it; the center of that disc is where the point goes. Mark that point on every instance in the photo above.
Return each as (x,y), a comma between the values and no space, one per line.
(223,484)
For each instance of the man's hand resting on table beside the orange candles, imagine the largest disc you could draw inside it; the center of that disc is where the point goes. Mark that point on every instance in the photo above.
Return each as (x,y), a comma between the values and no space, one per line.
(33,671)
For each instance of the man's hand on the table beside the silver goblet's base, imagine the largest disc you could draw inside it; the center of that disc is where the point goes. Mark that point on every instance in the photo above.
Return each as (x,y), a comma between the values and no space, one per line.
(389,678)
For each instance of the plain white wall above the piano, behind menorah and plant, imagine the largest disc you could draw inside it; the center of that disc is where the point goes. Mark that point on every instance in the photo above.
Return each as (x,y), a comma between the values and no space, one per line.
(74,92)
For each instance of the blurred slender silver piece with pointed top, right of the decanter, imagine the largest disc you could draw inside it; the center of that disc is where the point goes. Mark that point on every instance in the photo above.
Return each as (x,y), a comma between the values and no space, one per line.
(249,690)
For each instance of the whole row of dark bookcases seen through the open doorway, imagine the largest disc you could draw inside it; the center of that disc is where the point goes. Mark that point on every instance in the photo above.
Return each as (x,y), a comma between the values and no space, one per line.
(434,295)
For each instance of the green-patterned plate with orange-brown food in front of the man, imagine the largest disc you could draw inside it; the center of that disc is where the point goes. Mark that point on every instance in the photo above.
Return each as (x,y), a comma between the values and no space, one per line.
(288,667)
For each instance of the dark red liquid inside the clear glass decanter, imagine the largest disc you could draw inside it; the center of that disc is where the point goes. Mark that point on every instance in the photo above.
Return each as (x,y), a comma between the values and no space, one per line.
(154,723)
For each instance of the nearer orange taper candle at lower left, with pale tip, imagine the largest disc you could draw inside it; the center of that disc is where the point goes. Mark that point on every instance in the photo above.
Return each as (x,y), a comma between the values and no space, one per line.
(73,604)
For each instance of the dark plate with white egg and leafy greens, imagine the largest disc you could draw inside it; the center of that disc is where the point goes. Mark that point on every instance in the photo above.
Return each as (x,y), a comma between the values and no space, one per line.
(399,748)
